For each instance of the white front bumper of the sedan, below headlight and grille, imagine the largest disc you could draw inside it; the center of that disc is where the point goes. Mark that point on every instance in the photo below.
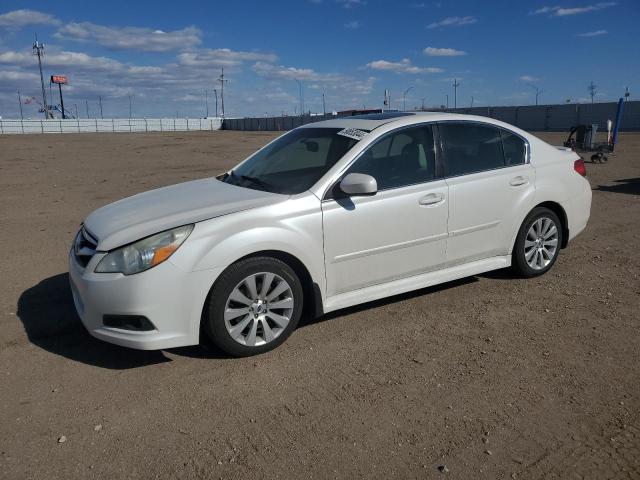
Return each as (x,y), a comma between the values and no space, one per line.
(172,299)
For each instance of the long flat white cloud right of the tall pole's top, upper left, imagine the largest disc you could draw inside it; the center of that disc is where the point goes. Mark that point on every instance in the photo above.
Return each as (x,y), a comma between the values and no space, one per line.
(132,38)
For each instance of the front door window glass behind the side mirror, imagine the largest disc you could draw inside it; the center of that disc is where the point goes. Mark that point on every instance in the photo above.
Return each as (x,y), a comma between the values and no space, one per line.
(403,158)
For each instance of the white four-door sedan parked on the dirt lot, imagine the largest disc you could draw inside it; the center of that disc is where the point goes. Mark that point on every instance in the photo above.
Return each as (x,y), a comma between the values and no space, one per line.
(329,215)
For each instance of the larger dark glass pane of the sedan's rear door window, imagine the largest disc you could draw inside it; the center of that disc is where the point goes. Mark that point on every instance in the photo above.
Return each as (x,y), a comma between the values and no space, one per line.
(470,148)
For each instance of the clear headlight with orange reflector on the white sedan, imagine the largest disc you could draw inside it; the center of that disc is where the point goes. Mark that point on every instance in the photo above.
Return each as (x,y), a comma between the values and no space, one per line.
(144,254)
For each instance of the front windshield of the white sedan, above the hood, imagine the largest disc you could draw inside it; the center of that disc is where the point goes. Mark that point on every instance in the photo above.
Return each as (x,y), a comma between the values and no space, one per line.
(292,163)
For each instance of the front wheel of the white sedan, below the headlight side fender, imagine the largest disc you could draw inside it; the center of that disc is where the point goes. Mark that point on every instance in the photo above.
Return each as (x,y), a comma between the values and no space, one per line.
(254,306)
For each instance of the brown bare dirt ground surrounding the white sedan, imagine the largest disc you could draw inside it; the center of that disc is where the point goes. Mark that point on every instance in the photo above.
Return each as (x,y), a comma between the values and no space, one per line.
(488,377)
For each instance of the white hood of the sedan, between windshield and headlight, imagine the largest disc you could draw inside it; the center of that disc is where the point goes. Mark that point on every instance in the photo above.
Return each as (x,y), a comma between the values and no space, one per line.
(147,213)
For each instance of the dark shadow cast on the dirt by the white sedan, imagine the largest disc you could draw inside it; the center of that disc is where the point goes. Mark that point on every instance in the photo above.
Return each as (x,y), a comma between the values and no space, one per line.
(51,322)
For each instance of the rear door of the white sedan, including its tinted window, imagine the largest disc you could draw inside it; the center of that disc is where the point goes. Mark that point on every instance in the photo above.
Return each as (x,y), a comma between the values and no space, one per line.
(491,187)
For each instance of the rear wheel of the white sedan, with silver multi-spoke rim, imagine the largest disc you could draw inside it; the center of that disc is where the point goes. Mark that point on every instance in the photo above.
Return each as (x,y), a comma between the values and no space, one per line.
(537,244)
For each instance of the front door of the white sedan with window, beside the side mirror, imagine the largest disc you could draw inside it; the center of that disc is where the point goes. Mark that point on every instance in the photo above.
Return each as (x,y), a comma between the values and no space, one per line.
(398,232)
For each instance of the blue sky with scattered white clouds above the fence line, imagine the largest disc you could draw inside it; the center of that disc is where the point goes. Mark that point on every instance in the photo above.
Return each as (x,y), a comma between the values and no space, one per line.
(166,54)
